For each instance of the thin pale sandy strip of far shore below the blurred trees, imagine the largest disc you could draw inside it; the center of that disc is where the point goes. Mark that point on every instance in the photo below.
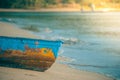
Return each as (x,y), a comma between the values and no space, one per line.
(60,10)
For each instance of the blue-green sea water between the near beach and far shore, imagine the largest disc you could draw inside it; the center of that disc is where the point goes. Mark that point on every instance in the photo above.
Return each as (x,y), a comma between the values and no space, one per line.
(91,40)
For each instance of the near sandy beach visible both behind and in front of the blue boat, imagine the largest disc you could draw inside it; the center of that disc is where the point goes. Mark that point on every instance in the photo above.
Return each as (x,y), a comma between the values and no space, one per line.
(56,72)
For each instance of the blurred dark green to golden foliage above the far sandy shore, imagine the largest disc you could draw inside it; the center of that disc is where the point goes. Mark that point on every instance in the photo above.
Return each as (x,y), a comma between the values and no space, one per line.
(80,4)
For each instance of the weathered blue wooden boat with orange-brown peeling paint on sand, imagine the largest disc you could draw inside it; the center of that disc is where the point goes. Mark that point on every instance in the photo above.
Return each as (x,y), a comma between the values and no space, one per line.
(28,53)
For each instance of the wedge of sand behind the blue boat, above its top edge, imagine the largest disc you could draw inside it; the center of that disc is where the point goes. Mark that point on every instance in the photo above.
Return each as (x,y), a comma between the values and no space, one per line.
(7,29)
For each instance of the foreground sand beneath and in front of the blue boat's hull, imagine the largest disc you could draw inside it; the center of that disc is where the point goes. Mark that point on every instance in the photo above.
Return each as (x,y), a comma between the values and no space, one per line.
(56,72)
